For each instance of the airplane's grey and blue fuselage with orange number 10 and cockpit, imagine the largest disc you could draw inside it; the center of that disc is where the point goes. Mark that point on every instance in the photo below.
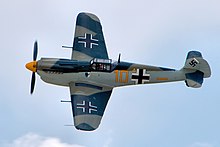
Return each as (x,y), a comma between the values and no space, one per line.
(103,72)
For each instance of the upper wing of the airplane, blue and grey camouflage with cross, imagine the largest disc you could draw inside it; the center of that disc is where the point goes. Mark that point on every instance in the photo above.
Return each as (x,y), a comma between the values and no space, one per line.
(88,40)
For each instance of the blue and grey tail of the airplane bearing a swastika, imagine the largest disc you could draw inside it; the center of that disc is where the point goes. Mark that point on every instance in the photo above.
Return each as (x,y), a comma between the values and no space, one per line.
(196,68)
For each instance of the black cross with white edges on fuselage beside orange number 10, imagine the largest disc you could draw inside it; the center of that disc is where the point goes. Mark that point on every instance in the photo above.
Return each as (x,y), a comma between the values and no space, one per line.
(140,77)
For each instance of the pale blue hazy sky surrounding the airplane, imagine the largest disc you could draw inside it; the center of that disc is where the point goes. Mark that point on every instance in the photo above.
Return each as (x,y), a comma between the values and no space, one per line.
(148,32)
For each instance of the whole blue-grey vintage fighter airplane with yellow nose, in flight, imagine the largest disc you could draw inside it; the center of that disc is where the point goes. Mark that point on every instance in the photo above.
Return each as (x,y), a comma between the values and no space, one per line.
(91,75)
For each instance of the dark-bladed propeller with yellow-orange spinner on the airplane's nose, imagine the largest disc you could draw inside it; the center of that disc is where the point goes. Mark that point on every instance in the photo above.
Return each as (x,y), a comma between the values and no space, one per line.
(32,66)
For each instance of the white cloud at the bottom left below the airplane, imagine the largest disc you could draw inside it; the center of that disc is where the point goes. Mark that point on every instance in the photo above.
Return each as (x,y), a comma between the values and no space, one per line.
(35,140)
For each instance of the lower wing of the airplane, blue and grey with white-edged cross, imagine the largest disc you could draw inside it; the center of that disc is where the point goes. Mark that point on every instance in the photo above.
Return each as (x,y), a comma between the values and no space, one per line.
(88,104)
